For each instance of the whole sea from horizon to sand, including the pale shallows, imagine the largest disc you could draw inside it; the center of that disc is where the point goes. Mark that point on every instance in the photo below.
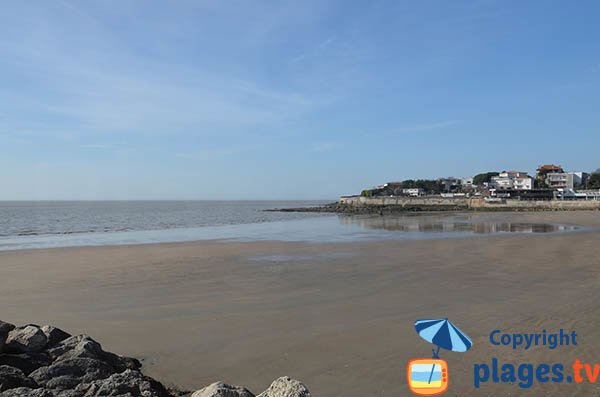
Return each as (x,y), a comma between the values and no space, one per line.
(50,224)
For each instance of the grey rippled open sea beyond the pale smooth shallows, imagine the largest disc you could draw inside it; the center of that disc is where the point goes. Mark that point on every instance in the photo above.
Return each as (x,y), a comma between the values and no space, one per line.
(31,218)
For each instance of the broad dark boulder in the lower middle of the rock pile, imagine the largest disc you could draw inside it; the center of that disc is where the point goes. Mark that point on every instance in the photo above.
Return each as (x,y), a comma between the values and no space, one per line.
(69,373)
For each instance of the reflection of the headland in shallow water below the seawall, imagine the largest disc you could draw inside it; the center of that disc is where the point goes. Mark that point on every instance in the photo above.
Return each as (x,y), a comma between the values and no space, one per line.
(449,223)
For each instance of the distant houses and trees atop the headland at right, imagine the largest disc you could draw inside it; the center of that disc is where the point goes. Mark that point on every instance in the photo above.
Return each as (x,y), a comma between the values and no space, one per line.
(551,182)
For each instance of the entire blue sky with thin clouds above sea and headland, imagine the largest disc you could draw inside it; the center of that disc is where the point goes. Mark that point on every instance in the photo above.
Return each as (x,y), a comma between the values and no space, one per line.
(306,99)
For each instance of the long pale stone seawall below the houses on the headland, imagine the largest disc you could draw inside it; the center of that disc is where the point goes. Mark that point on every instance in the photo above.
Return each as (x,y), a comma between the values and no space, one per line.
(475,204)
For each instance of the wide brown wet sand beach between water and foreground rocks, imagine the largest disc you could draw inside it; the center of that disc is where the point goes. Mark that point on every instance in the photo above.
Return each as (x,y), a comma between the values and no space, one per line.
(337,316)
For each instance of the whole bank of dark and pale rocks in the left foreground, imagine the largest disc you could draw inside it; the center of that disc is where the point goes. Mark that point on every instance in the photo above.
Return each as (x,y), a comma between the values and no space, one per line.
(44,361)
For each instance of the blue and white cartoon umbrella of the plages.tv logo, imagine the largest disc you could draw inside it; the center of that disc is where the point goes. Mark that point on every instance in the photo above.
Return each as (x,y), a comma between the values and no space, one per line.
(442,333)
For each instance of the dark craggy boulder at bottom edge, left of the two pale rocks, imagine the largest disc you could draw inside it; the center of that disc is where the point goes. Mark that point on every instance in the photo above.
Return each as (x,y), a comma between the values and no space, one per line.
(127,383)
